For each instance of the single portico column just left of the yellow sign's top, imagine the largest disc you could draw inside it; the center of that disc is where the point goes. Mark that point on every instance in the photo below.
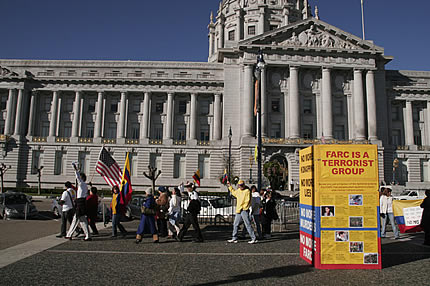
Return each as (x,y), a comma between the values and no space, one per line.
(294,103)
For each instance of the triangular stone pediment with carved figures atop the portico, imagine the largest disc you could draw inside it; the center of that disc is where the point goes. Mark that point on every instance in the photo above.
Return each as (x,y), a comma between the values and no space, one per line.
(311,34)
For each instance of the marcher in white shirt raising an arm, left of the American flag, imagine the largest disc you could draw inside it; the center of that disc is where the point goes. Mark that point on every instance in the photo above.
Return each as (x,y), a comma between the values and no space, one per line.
(80,215)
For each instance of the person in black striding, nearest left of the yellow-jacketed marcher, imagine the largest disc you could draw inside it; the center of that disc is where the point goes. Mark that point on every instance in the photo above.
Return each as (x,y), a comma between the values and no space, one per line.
(191,216)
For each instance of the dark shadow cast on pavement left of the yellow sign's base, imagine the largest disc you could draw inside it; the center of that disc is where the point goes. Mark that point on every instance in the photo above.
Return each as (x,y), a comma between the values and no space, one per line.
(276,272)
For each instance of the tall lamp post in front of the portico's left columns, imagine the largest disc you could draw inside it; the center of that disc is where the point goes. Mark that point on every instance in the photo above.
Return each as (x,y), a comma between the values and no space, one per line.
(258,70)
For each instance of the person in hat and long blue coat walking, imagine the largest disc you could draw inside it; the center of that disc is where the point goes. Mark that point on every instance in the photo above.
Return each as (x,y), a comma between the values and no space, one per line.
(147,220)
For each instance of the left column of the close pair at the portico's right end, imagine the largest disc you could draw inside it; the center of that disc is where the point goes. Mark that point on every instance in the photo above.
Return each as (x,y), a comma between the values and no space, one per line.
(359,121)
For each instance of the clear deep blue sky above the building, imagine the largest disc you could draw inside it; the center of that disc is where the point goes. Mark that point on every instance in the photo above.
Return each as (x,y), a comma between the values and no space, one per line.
(176,30)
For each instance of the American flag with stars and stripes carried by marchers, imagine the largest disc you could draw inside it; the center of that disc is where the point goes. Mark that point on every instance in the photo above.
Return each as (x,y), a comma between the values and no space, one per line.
(108,168)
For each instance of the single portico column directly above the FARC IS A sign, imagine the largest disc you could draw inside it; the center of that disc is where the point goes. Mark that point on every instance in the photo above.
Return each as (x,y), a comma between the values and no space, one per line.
(326,98)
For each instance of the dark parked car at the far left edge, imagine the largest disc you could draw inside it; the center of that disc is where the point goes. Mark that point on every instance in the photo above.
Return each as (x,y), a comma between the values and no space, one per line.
(16,205)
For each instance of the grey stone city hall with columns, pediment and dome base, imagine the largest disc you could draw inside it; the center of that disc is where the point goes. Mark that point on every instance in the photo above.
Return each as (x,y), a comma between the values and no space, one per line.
(319,85)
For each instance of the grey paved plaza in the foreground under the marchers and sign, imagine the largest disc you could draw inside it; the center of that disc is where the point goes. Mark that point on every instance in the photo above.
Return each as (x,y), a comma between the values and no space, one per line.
(106,261)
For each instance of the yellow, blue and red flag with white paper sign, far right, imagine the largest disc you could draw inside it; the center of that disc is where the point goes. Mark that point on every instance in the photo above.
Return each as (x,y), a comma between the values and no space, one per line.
(407,214)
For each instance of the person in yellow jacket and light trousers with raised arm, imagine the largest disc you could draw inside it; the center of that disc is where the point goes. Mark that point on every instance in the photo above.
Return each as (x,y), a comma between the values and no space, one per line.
(243,203)
